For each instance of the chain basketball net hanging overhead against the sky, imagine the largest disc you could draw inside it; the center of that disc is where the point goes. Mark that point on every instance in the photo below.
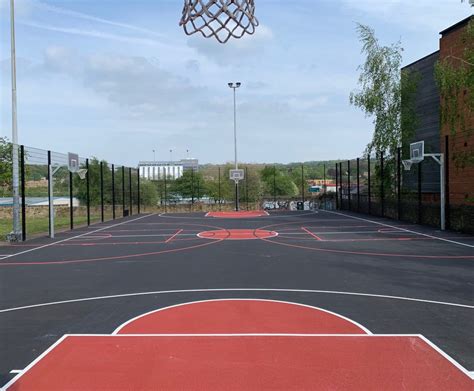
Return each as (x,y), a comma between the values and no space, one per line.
(222,19)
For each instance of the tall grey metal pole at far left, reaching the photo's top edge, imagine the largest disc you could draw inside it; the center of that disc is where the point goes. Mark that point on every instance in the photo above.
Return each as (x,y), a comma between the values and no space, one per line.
(15,167)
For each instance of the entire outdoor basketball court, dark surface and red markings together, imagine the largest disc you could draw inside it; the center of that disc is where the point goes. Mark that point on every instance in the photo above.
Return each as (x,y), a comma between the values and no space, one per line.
(273,300)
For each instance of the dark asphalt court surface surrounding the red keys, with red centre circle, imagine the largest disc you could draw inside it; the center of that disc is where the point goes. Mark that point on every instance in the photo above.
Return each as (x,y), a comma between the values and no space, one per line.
(391,277)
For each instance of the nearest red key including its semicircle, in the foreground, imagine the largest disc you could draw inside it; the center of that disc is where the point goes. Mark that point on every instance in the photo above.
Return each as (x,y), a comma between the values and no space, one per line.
(242,345)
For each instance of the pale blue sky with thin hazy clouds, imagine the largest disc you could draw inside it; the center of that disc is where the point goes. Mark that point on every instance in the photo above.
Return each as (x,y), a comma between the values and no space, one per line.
(117,79)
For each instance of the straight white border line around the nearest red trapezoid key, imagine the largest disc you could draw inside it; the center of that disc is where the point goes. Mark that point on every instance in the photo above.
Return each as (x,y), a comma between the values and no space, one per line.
(451,360)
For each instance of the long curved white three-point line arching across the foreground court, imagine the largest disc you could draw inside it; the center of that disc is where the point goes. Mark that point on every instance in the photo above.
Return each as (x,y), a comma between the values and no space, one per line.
(234,290)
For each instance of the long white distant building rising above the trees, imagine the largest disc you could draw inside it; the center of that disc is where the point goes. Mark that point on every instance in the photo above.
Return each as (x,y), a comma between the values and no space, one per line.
(156,170)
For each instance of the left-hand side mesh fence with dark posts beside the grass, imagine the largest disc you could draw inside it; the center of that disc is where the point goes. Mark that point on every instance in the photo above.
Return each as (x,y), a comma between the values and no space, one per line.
(76,201)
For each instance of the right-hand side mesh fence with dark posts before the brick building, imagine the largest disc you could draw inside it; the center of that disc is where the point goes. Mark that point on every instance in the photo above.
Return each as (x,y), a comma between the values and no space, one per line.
(380,186)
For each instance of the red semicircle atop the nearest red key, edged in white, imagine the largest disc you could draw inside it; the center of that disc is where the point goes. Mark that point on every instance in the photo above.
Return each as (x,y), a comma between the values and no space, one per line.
(240,316)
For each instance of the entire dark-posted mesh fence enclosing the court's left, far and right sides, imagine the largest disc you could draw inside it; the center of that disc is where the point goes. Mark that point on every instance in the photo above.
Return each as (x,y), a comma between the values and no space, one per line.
(375,185)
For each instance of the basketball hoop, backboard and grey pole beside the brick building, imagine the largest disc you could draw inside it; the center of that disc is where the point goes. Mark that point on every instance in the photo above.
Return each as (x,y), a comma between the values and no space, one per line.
(417,154)
